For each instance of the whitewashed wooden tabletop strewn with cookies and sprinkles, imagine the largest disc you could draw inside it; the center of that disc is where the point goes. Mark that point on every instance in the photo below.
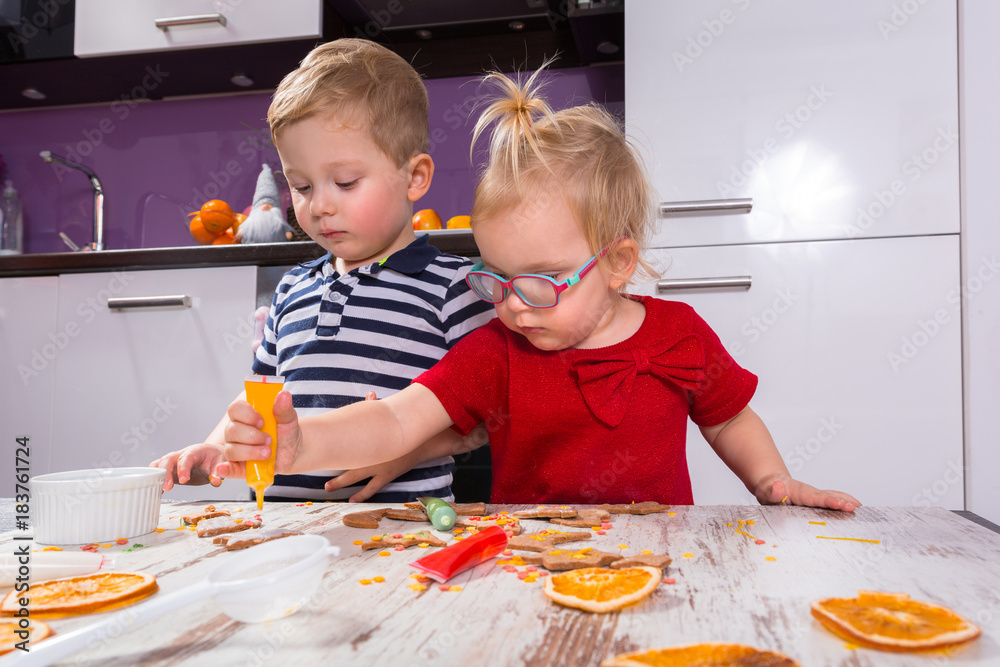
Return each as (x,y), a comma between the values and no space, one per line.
(728,588)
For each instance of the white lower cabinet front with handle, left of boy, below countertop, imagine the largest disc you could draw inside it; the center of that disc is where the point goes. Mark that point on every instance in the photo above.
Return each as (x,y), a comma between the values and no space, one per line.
(139,382)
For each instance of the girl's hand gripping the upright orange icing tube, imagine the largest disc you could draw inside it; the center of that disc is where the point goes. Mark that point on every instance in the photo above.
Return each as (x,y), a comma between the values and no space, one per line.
(246,442)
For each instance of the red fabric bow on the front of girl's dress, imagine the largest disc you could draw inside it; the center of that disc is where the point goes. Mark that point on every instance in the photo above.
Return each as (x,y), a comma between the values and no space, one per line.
(607,382)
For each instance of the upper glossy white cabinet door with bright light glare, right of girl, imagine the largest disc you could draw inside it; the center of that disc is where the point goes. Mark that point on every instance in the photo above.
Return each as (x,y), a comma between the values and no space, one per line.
(839,120)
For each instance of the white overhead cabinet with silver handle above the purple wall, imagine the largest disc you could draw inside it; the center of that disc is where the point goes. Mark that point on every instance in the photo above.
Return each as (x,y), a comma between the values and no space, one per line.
(113,27)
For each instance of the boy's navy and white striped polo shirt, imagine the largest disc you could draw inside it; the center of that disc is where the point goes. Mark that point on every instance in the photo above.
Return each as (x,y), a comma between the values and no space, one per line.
(335,337)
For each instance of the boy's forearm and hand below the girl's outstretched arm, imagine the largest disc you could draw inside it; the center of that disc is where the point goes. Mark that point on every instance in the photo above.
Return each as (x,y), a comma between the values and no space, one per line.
(447,443)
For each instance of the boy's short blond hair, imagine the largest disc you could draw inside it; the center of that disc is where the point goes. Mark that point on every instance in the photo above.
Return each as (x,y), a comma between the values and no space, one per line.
(359,82)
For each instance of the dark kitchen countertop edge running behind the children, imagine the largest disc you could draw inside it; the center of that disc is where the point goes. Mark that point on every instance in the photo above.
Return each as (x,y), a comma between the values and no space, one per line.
(456,242)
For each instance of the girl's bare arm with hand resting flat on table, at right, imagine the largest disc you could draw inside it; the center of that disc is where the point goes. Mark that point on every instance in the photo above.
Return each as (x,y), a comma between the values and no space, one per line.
(746,446)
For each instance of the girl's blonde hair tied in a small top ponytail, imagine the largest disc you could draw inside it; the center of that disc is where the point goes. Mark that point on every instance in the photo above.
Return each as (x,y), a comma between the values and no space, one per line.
(582,150)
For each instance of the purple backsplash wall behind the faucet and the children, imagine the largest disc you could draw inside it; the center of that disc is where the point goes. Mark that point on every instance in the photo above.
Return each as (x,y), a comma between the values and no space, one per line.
(161,160)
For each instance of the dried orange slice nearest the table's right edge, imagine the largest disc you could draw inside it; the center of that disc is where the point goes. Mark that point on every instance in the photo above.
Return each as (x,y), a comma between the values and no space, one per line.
(893,622)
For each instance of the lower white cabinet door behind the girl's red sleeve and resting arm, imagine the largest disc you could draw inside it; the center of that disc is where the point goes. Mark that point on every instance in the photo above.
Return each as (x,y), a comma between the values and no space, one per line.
(857,345)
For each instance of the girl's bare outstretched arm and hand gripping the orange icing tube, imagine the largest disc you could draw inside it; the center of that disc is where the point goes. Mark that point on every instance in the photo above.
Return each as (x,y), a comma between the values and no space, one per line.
(356,435)
